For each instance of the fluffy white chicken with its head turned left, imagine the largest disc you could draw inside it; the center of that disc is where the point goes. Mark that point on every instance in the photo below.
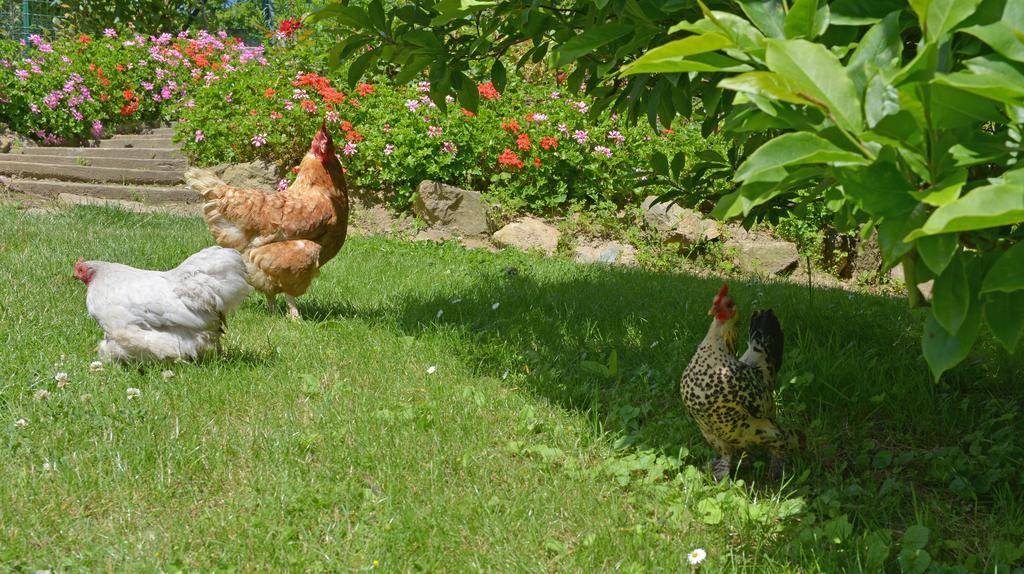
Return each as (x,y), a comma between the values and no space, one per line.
(164,316)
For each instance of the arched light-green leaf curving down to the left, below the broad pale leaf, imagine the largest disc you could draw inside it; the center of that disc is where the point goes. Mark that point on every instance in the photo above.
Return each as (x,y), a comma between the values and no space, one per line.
(769,163)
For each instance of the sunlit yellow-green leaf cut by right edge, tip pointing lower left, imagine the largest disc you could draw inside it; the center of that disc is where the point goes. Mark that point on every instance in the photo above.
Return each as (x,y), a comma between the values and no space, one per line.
(992,206)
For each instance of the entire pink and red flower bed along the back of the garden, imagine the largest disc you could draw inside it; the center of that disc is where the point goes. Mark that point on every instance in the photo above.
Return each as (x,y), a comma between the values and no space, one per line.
(530,148)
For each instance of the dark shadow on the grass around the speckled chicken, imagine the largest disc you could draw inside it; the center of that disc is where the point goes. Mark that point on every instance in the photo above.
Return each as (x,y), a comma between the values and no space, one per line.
(852,378)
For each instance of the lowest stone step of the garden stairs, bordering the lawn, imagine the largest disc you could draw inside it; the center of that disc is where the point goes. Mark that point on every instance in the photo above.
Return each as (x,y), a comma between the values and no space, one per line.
(142,194)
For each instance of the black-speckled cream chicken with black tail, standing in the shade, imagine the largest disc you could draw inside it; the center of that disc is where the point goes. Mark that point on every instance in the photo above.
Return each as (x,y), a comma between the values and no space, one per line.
(733,401)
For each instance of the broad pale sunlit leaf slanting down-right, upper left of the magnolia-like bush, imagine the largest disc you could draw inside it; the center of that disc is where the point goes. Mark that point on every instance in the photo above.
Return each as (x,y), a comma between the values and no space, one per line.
(819,73)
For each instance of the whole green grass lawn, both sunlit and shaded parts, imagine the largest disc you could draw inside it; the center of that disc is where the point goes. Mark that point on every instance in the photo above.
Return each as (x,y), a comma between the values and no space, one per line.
(551,437)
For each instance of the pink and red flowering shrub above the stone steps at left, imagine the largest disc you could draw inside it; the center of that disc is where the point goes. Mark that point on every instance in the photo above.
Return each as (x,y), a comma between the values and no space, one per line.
(78,87)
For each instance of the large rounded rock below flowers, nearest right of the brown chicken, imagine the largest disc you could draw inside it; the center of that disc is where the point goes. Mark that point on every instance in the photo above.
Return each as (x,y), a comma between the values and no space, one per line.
(460,212)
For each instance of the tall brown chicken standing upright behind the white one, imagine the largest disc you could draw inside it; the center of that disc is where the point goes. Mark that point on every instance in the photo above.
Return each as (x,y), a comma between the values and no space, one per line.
(287,237)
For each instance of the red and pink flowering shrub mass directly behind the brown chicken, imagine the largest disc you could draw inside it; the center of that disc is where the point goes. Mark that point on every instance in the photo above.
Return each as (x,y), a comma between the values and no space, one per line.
(530,149)
